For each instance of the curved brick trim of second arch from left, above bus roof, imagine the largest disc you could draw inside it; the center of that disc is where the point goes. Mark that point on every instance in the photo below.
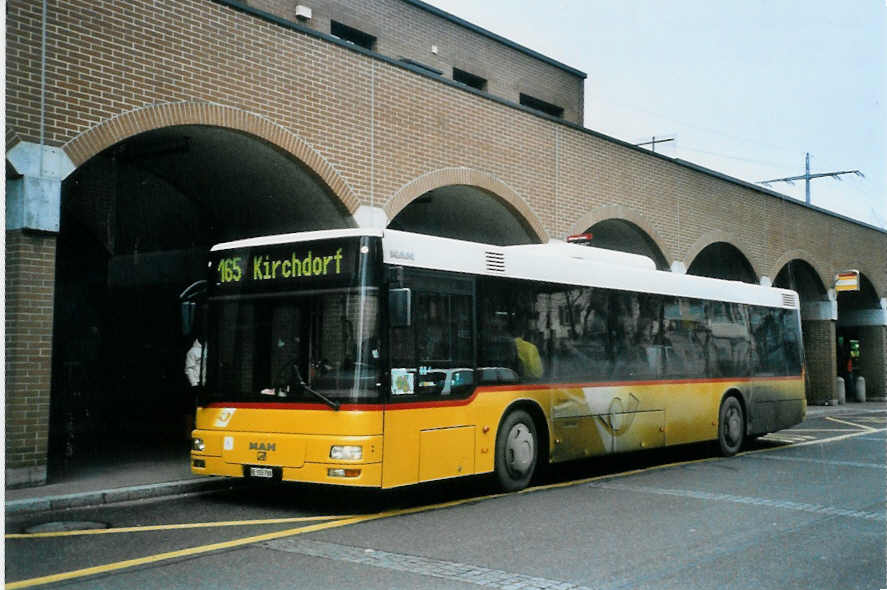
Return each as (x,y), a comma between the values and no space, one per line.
(468,177)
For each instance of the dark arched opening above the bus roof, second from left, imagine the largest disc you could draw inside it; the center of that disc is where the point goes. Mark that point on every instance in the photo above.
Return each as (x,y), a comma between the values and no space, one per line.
(464,212)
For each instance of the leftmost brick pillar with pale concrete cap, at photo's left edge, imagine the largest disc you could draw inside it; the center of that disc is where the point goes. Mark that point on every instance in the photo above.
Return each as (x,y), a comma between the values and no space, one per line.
(33,196)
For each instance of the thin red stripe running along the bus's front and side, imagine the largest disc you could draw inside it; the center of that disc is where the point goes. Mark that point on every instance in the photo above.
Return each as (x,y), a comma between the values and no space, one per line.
(485,389)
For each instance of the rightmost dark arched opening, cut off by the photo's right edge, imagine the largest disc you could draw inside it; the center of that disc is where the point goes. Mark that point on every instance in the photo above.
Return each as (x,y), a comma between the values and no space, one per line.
(862,339)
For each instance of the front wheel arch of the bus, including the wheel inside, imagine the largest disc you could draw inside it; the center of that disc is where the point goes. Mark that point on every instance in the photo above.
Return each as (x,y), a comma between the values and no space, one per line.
(522,423)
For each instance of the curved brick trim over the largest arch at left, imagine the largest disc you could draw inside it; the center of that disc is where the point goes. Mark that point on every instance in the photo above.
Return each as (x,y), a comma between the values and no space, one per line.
(98,138)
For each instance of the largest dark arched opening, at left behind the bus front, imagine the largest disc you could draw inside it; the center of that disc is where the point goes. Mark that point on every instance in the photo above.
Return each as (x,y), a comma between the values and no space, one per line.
(137,221)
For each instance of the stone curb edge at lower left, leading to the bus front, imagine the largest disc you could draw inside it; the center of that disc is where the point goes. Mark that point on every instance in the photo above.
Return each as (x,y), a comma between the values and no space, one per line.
(112,496)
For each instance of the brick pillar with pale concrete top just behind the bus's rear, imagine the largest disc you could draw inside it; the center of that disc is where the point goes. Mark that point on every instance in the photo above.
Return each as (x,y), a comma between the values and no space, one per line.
(820,350)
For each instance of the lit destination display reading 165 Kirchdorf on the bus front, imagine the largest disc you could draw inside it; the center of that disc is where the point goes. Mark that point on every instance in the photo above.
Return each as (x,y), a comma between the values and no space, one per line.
(316,264)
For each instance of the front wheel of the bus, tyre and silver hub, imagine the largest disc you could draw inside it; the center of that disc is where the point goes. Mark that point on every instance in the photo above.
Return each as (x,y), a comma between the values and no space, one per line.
(517,451)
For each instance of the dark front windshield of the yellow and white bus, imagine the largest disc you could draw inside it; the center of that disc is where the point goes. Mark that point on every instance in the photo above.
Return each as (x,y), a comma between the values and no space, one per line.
(303,341)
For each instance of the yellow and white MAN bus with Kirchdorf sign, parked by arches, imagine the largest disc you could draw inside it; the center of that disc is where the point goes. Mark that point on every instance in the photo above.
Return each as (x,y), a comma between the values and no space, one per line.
(382,358)
